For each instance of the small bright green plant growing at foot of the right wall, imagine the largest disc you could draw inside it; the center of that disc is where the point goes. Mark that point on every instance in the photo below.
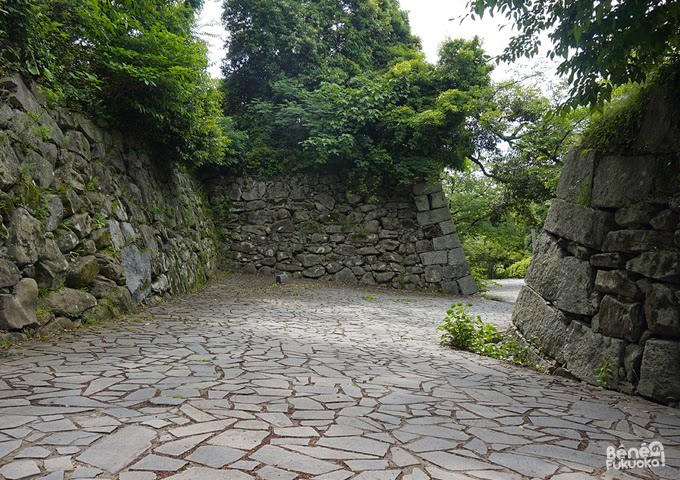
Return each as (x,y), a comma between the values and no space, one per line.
(467,332)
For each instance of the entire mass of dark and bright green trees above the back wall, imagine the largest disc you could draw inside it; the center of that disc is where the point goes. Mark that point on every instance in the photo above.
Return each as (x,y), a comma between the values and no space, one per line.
(343,84)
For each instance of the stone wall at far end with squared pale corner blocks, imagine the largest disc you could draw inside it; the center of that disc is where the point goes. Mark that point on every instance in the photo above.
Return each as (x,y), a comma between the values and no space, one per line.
(315,227)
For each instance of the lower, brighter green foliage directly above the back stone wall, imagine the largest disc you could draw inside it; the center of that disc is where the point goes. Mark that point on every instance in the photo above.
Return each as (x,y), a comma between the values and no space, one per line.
(402,121)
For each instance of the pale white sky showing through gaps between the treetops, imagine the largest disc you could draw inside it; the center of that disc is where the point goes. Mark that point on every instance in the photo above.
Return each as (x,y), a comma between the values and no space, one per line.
(429,20)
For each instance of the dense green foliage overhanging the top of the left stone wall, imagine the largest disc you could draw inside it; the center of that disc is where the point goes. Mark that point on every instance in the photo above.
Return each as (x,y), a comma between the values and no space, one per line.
(135,63)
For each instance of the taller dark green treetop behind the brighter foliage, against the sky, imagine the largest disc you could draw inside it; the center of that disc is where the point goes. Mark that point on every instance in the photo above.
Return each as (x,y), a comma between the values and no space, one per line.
(308,41)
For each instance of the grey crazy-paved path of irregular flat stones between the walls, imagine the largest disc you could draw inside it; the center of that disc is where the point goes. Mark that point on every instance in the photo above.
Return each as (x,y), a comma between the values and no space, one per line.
(245,380)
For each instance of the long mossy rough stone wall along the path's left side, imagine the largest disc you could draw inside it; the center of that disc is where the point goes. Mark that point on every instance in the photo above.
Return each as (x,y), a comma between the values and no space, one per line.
(90,224)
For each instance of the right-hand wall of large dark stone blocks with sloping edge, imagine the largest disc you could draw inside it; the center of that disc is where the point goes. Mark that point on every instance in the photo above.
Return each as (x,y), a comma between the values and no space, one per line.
(602,292)
